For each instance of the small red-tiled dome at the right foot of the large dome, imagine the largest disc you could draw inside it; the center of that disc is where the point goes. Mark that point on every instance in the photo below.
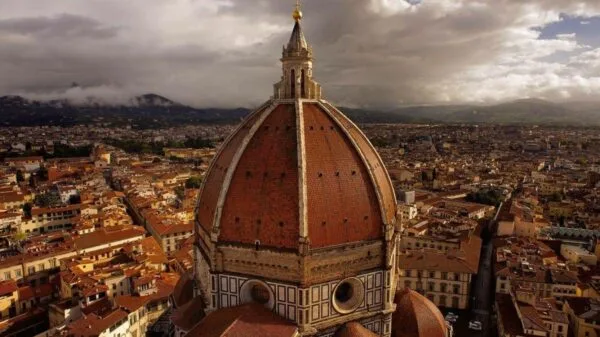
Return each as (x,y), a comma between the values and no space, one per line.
(416,316)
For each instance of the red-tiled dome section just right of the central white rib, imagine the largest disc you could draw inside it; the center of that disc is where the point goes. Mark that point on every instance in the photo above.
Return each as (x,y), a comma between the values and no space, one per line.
(342,203)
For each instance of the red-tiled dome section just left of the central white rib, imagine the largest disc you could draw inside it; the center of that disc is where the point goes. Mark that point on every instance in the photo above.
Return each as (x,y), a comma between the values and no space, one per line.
(262,201)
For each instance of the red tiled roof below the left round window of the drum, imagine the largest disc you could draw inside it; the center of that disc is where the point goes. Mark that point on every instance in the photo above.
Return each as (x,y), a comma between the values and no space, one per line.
(249,320)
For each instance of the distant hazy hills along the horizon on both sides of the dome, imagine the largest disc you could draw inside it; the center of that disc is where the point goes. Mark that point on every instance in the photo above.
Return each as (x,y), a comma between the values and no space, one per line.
(154,111)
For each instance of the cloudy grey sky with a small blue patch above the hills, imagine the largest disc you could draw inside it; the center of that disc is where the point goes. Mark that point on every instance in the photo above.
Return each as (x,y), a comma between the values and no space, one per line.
(368,52)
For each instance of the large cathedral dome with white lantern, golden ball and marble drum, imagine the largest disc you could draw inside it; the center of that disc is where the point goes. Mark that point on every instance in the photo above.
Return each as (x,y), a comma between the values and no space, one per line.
(298,214)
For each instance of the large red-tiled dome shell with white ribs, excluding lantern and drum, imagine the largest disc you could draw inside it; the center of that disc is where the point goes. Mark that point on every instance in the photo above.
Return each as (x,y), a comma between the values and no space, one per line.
(296,170)
